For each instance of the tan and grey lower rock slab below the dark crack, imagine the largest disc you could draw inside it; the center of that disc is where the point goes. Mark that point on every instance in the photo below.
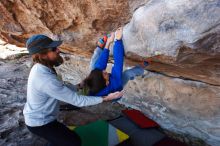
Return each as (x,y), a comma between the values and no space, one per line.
(182,106)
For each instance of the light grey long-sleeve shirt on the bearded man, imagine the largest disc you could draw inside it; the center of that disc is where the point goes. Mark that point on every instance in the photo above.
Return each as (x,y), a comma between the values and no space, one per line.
(44,91)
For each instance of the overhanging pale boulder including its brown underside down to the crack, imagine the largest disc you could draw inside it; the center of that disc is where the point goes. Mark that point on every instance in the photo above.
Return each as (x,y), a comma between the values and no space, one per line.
(186,33)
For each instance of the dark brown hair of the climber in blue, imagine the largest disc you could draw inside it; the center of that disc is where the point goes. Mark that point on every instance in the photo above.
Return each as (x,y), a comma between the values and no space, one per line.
(95,81)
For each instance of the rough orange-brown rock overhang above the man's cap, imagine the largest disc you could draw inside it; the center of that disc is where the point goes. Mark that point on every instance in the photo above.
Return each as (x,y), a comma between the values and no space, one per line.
(77,23)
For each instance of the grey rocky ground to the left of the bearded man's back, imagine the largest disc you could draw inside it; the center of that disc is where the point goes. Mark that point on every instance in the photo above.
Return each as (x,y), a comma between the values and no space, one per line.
(13,80)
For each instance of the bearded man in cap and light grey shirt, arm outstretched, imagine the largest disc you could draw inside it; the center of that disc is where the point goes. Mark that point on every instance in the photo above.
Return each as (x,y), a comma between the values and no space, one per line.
(45,90)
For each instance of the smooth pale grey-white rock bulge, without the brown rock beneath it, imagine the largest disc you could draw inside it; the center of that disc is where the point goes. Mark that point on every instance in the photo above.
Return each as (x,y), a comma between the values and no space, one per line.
(166,26)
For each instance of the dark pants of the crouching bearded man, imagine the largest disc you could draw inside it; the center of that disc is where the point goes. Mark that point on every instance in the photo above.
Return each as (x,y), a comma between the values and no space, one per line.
(57,134)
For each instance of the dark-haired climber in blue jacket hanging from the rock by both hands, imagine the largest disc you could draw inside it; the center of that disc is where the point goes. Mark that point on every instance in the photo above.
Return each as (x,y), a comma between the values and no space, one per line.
(99,82)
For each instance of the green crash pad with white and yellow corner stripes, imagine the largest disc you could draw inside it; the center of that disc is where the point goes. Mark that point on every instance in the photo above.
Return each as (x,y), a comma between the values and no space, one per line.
(99,133)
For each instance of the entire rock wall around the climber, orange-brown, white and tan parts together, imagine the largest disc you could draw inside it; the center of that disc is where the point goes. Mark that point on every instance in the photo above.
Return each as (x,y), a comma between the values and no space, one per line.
(181,92)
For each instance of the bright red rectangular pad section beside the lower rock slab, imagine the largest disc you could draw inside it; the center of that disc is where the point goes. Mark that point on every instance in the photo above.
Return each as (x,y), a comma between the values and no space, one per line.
(140,119)
